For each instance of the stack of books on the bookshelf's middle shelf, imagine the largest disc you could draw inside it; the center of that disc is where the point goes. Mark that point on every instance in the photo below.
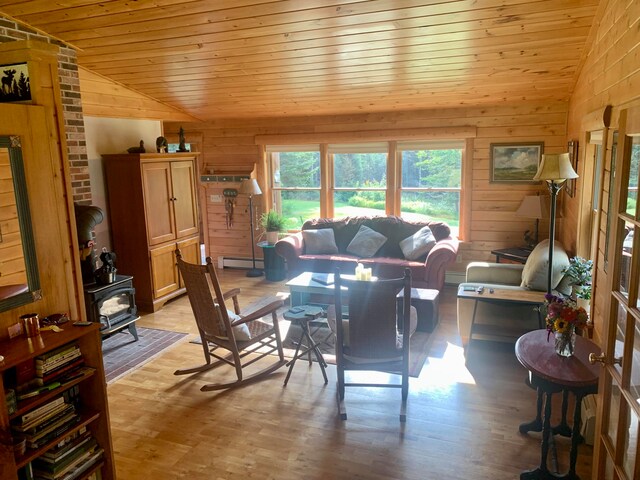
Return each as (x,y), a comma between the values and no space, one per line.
(43,424)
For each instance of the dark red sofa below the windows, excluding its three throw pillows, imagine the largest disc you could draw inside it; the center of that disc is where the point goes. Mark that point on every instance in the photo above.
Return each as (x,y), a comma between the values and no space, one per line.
(388,262)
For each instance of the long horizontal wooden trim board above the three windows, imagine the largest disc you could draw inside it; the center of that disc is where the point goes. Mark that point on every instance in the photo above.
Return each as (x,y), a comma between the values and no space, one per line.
(369,135)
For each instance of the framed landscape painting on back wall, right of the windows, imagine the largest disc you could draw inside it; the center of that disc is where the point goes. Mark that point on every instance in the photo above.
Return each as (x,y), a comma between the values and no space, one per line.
(514,162)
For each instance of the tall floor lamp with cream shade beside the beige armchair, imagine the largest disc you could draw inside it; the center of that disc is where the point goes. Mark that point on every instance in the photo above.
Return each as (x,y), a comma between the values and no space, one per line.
(555,169)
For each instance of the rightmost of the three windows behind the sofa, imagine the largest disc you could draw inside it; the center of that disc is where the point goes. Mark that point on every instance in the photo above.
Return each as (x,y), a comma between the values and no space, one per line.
(431,182)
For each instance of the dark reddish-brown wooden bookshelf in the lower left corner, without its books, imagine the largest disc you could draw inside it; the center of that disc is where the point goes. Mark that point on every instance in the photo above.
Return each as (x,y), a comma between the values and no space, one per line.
(91,392)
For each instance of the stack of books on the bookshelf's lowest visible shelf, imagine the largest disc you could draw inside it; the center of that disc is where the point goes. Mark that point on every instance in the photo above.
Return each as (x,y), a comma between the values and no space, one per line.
(69,459)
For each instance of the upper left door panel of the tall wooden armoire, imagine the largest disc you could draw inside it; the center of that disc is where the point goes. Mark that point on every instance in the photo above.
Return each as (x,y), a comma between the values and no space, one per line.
(156,184)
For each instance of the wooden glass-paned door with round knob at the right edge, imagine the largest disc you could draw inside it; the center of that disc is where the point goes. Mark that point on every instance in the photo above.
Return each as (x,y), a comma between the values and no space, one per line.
(618,430)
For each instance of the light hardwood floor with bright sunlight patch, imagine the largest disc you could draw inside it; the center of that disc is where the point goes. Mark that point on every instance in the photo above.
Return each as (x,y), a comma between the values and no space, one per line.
(462,421)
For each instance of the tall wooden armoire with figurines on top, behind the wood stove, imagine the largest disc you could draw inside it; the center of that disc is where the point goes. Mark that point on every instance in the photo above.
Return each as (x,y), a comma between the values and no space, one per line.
(153,209)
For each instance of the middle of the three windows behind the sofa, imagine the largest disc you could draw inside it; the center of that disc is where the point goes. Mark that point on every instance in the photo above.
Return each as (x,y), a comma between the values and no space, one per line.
(359,179)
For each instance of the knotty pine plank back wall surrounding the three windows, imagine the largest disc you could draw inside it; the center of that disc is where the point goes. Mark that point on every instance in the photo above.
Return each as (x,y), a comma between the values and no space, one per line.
(523,121)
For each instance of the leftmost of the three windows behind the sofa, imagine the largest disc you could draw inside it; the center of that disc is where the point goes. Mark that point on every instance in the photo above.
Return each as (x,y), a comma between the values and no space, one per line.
(295,177)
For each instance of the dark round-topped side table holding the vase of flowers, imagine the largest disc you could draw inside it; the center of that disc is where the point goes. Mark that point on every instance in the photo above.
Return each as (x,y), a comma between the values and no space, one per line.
(550,373)
